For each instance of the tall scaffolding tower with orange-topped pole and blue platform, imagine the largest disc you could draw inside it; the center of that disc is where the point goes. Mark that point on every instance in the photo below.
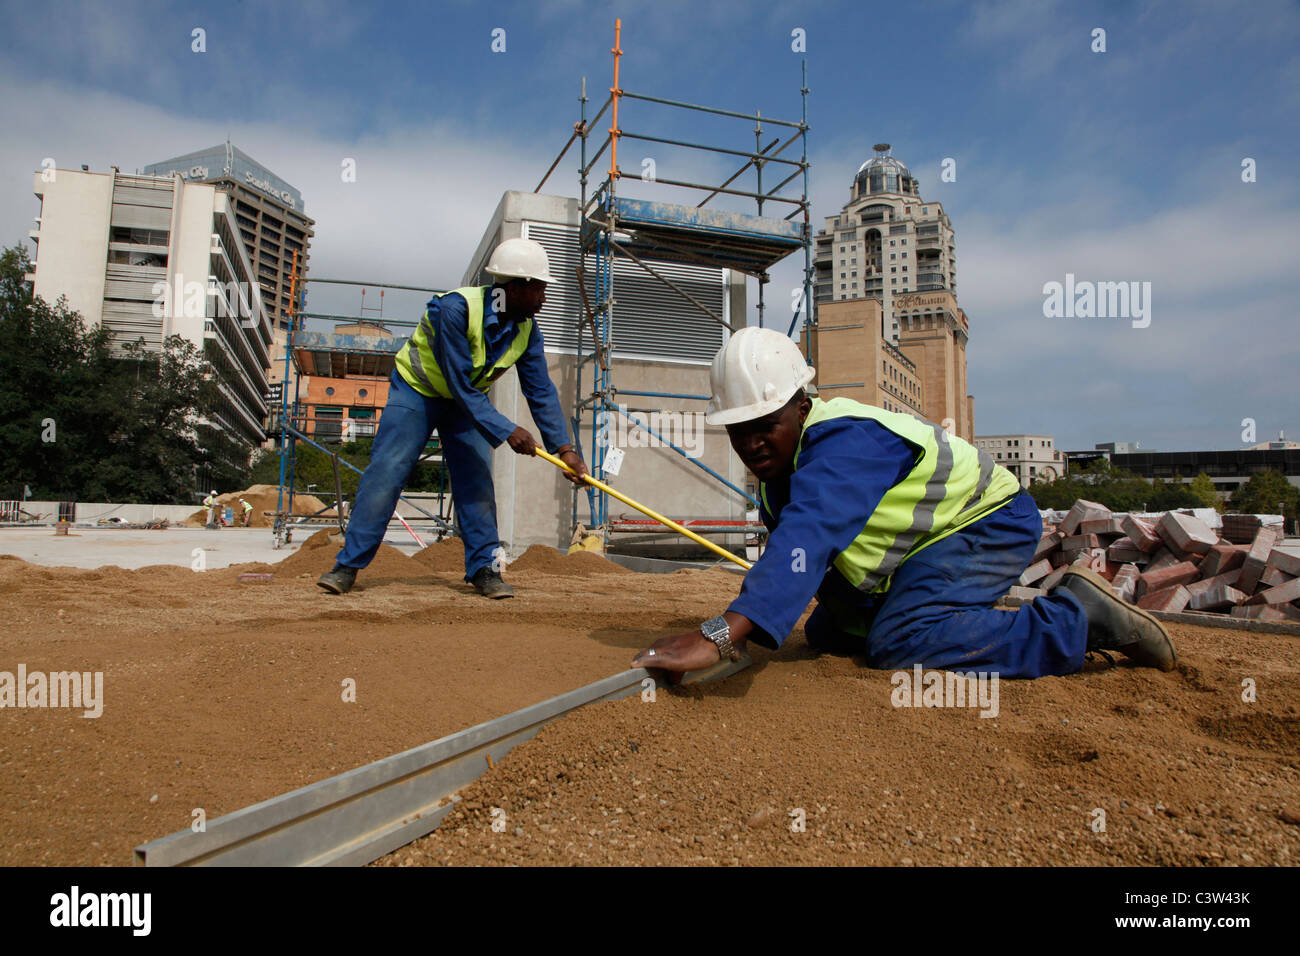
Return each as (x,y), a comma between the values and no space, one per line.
(640,232)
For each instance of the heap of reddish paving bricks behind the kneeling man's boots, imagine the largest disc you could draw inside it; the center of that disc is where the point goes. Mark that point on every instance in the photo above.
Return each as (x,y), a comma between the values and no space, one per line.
(1169,564)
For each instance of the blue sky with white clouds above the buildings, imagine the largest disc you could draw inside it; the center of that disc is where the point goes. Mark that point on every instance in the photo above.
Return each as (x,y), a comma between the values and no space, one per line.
(1124,166)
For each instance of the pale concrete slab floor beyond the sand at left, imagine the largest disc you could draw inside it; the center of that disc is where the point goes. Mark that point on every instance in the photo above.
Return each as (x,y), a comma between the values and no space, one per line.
(92,548)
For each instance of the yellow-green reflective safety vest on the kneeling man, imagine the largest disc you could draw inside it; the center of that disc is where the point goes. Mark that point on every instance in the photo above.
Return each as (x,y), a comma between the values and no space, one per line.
(951,485)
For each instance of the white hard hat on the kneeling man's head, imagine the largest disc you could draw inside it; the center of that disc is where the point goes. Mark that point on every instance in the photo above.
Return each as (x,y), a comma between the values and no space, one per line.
(757,373)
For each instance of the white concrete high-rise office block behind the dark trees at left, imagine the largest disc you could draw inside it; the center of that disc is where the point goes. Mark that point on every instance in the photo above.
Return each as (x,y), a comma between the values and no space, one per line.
(151,257)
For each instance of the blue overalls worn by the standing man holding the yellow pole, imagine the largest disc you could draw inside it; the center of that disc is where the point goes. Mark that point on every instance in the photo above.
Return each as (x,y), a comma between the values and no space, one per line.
(469,427)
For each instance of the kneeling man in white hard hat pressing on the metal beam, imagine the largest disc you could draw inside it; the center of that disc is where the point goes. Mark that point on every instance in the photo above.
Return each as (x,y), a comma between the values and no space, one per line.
(904,534)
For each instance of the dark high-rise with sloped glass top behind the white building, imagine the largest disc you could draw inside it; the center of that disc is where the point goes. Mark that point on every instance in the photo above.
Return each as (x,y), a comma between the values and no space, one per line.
(270,213)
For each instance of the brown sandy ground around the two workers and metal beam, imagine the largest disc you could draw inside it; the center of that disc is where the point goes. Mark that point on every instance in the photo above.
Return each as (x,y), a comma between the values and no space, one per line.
(220,694)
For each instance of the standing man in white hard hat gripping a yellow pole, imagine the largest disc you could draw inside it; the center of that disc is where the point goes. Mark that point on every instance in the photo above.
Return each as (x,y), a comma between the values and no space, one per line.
(467,340)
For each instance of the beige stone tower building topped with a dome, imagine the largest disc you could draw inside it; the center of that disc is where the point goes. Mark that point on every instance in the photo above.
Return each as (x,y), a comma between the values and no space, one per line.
(889,330)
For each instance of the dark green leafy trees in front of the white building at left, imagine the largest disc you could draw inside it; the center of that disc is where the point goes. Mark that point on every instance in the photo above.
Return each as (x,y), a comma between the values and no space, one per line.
(81,421)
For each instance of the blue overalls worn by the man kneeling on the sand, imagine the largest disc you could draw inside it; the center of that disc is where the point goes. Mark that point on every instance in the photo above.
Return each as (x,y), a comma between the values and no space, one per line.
(938,611)
